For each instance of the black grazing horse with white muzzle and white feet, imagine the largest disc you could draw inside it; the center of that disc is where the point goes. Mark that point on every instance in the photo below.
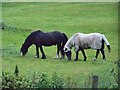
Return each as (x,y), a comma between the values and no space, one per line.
(39,39)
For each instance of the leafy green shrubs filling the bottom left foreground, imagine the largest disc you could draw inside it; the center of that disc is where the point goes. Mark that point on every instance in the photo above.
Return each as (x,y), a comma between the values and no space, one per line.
(38,80)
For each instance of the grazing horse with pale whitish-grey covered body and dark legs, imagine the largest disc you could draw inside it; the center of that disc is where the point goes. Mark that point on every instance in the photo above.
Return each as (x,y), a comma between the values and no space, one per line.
(82,41)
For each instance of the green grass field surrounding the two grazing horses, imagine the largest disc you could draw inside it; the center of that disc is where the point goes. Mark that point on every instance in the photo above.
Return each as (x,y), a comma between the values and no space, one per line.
(70,18)
